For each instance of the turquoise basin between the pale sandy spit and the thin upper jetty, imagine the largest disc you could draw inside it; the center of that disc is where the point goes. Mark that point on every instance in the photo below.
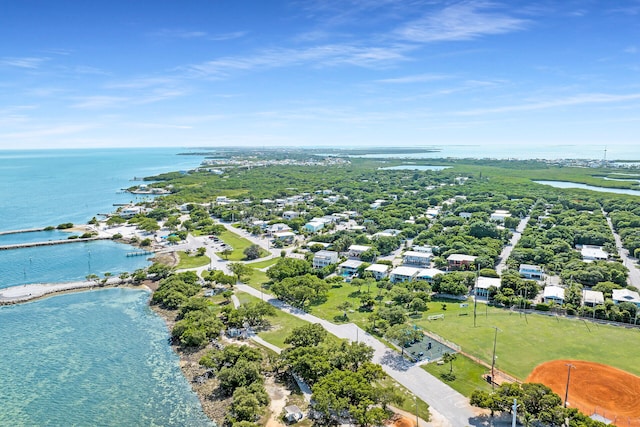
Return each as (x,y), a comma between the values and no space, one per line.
(66,263)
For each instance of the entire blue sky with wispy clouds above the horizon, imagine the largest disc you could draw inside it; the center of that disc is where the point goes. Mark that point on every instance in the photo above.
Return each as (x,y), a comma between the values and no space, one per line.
(200,73)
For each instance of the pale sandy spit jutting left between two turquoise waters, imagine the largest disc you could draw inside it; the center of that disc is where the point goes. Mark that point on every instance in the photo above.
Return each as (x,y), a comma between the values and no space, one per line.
(21,294)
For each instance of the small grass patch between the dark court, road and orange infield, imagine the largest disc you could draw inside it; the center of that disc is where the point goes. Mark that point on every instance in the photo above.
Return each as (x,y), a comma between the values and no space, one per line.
(468,375)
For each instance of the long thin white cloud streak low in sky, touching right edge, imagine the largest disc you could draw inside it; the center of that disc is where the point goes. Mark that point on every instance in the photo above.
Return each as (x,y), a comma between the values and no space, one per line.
(582,99)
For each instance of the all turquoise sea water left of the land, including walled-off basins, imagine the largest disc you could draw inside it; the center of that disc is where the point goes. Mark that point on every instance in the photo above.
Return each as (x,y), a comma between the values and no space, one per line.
(88,358)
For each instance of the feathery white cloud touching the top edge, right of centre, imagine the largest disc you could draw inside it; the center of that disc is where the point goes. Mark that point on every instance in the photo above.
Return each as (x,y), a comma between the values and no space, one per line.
(462,21)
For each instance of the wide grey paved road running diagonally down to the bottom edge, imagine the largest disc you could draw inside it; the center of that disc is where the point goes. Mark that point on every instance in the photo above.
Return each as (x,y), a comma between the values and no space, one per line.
(449,407)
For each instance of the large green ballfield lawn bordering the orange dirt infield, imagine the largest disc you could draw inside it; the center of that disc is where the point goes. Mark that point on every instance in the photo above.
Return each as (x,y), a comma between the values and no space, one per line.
(523,342)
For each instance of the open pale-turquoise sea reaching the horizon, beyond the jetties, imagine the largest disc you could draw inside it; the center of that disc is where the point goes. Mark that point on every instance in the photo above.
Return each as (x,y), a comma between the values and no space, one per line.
(49,187)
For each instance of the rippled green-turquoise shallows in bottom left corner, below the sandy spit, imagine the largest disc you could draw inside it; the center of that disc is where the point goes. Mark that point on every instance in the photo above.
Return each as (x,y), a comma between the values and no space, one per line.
(95,358)
